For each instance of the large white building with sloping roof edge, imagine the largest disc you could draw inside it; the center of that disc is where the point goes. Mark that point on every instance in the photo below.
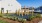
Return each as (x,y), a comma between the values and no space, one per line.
(9,5)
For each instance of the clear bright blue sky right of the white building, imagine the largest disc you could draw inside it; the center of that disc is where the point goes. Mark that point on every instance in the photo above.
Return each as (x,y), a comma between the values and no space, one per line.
(30,3)
